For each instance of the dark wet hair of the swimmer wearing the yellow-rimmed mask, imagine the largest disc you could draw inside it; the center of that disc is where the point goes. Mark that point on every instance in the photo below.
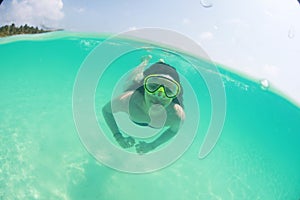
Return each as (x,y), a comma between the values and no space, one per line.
(163,68)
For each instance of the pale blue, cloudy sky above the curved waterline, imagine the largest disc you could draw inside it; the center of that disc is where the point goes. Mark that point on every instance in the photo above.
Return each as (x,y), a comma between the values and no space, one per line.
(258,38)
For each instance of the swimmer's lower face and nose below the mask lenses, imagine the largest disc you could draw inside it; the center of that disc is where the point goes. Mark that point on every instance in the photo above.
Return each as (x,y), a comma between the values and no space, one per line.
(158,97)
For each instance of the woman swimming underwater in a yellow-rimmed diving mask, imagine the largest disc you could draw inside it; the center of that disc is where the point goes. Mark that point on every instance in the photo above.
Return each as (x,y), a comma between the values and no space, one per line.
(154,88)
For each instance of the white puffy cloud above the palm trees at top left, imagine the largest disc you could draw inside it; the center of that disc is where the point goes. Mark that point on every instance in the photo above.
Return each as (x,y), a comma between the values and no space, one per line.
(34,12)
